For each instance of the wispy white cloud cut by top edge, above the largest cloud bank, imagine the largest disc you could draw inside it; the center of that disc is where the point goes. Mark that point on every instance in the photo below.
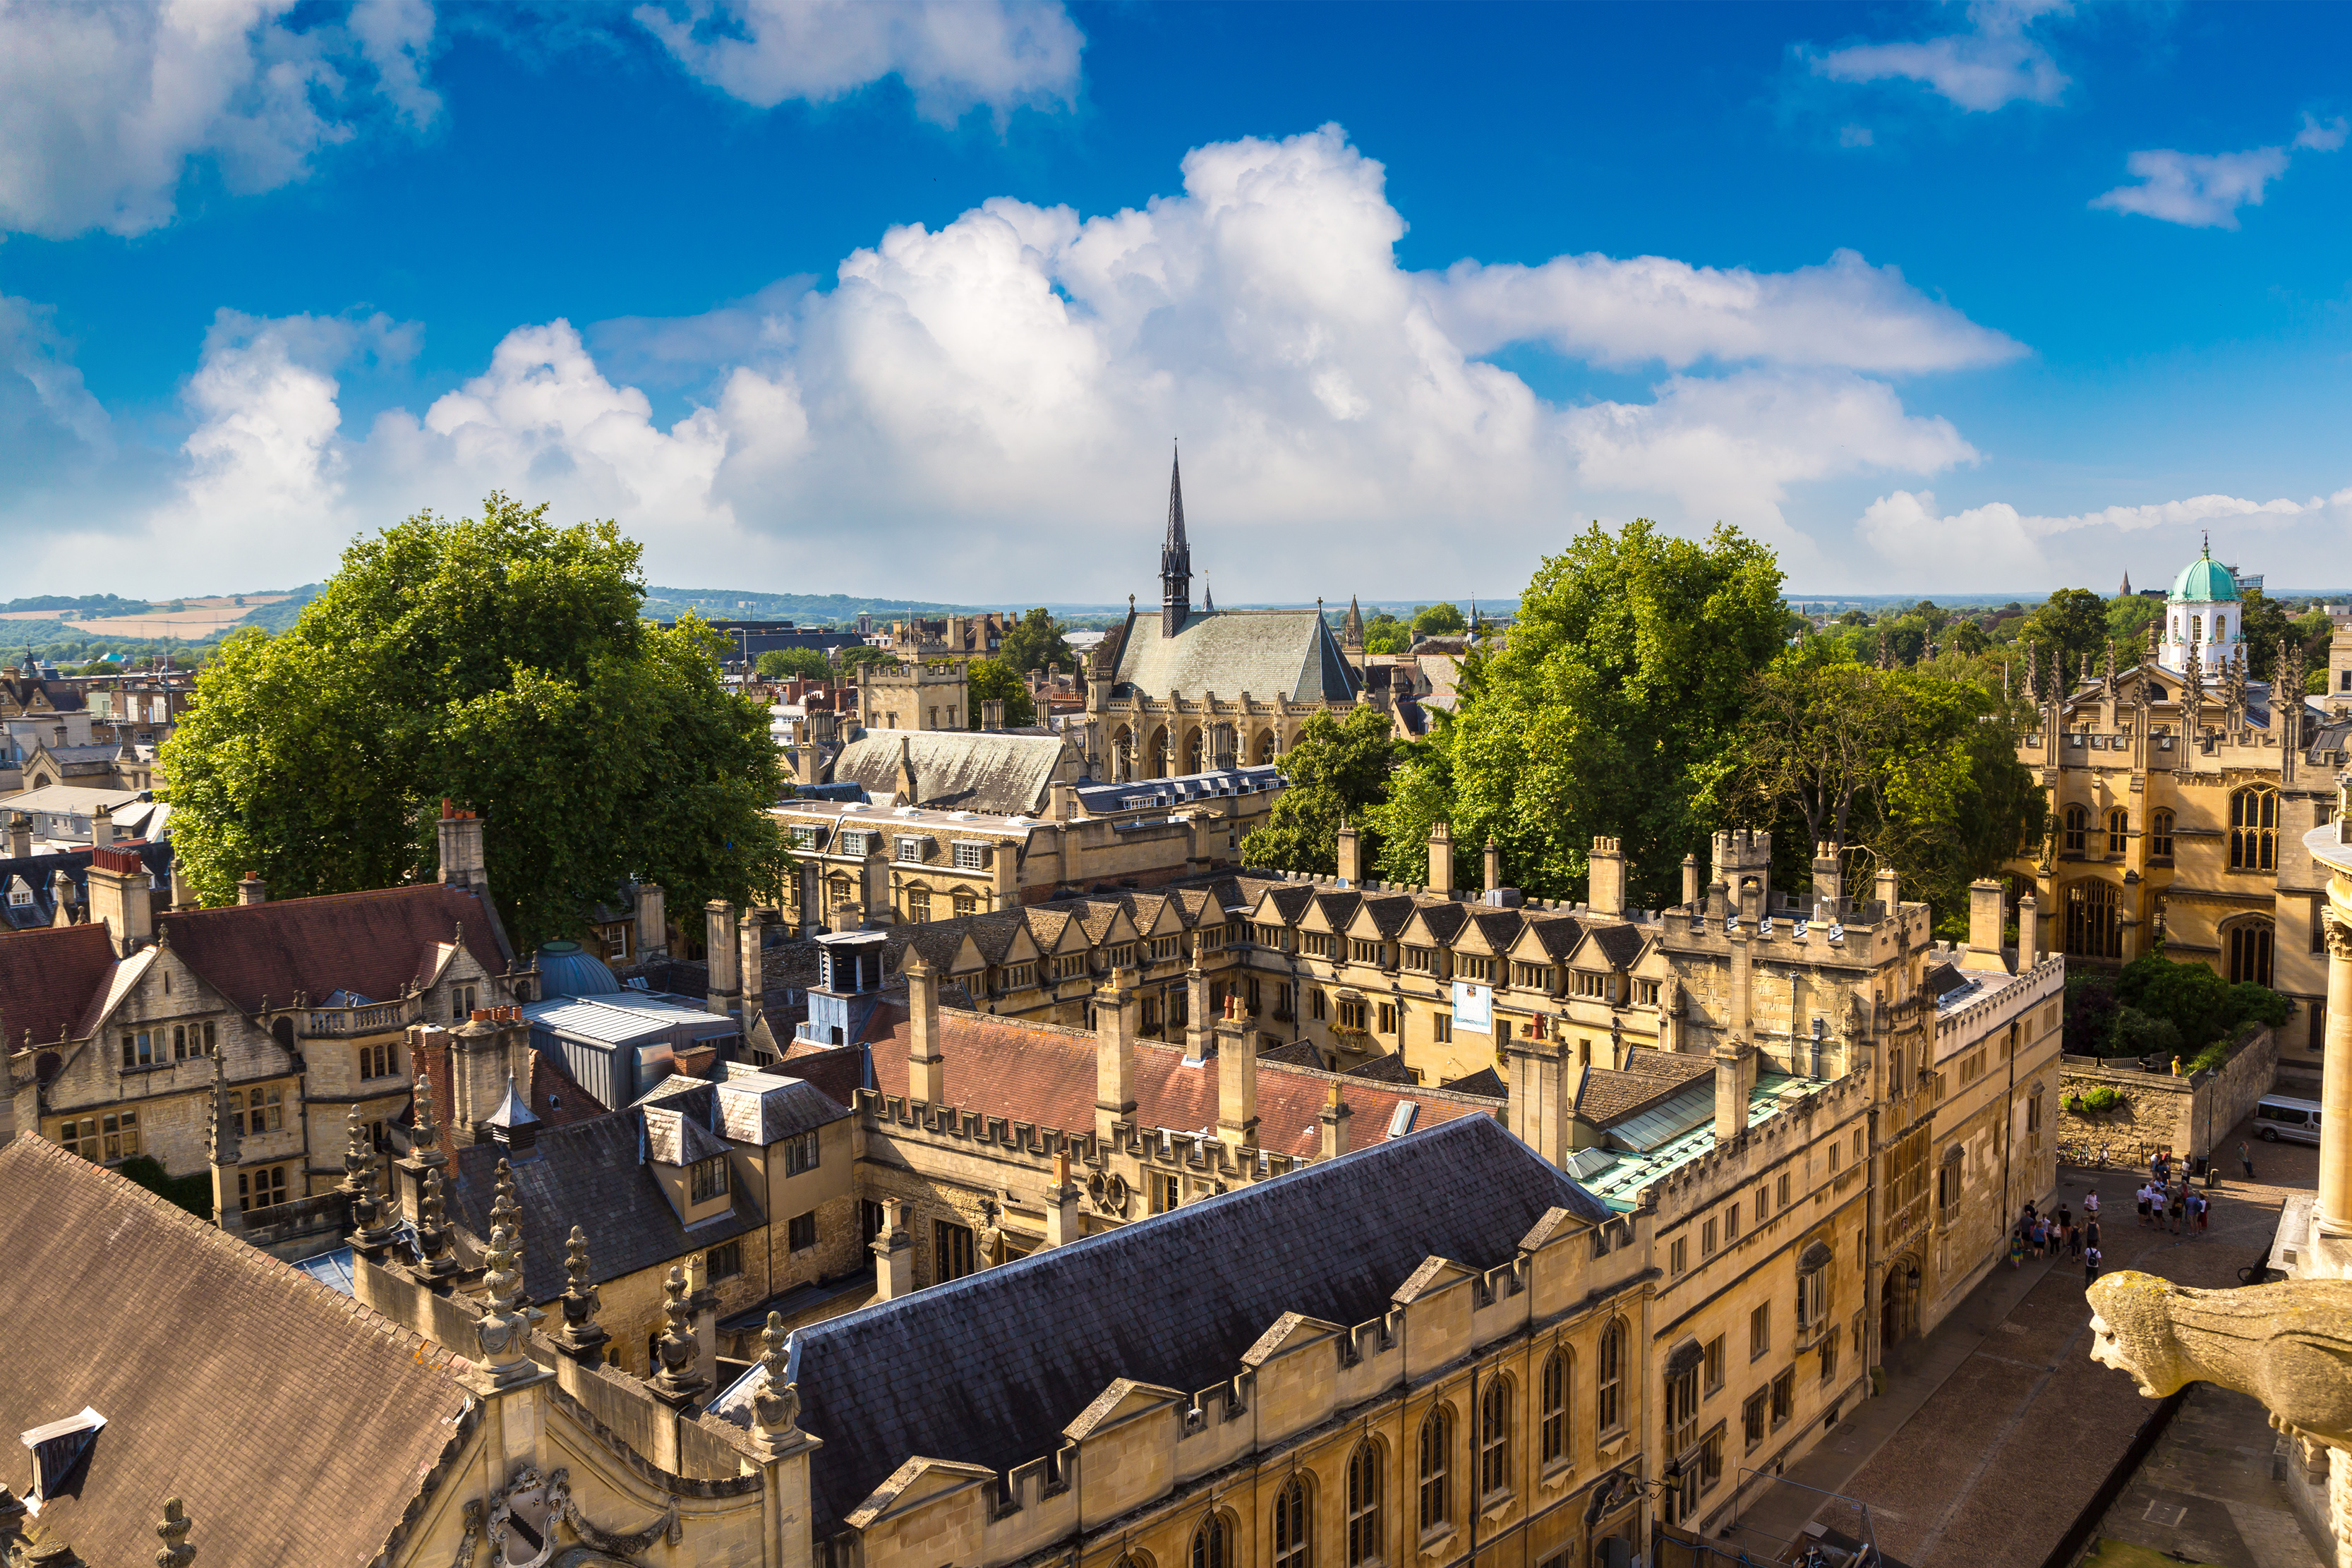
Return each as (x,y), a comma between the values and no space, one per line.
(951,53)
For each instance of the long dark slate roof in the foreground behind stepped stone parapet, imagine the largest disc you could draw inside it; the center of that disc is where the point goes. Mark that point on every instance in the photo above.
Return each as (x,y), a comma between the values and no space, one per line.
(961,1374)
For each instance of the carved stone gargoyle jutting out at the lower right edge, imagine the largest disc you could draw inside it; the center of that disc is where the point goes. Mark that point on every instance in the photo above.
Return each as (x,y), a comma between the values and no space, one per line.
(2290,1346)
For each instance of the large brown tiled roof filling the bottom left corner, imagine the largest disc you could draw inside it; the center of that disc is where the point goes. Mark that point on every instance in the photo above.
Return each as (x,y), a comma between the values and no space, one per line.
(293,1421)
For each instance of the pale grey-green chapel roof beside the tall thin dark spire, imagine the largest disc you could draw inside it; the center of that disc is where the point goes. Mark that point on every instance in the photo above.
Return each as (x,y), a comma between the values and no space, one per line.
(1264,652)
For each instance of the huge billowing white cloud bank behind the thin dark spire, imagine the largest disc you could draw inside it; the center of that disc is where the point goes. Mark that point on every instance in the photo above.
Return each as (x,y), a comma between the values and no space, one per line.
(984,410)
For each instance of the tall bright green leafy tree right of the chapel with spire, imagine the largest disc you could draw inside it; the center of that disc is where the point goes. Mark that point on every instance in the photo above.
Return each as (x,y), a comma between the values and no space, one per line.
(1612,706)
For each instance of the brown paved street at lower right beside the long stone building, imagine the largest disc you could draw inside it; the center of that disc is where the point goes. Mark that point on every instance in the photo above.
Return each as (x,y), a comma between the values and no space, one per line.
(1998,1430)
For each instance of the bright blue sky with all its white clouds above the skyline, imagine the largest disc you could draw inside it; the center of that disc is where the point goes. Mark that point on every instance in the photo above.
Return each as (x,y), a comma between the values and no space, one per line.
(911,297)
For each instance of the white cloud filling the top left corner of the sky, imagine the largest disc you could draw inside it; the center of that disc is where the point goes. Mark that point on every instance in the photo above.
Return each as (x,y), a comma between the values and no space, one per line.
(105,105)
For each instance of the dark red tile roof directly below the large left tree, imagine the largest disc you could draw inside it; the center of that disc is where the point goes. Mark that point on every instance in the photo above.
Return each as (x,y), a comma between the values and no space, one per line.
(373,944)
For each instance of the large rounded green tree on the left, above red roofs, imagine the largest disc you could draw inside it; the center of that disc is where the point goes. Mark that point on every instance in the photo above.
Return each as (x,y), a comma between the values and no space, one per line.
(500,664)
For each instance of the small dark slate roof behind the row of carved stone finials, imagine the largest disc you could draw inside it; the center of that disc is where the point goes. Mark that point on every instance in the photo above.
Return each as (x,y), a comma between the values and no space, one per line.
(592,1177)
